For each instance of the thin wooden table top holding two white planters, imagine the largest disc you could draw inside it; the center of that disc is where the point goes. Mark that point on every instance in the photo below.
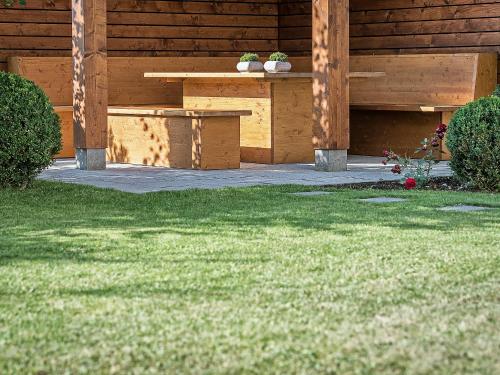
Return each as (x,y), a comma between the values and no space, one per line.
(256,75)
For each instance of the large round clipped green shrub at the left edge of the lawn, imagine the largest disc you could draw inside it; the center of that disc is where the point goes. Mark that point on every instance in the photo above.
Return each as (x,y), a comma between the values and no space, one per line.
(30,132)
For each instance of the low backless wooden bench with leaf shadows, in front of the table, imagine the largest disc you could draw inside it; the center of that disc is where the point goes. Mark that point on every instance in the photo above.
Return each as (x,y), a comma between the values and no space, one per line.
(176,138)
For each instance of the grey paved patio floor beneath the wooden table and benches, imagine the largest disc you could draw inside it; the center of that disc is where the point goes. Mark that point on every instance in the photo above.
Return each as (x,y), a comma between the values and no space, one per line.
(141,179)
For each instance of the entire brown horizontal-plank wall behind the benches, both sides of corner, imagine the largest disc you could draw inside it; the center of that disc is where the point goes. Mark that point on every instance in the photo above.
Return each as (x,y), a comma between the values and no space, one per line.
(222,28)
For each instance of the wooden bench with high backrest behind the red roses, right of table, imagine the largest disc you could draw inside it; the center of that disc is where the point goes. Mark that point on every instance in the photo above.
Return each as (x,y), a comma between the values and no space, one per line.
(418,92)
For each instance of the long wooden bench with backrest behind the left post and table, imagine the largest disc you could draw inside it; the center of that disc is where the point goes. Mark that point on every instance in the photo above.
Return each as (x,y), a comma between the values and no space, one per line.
(127,86)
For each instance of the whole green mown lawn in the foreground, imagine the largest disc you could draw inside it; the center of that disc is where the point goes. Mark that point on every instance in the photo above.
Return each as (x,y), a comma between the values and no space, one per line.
(247,281)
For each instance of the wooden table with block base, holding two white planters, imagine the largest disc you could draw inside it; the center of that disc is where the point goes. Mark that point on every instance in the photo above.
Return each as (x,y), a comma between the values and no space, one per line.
(280,128)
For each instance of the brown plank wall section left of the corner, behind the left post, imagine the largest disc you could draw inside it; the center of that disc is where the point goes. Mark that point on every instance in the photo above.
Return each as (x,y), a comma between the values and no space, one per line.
(146,28)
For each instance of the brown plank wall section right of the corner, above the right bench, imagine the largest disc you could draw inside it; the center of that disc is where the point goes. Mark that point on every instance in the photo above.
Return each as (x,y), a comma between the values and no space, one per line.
(402,26)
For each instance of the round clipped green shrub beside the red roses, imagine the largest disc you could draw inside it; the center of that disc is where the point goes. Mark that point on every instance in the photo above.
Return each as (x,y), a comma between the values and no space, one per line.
(474,143)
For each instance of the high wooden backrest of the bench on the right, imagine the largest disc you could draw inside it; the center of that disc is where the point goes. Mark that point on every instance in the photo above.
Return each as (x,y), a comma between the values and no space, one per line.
(427,80)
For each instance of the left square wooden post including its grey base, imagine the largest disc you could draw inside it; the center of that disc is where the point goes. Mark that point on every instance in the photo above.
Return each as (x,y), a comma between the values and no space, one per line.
(90,84)
